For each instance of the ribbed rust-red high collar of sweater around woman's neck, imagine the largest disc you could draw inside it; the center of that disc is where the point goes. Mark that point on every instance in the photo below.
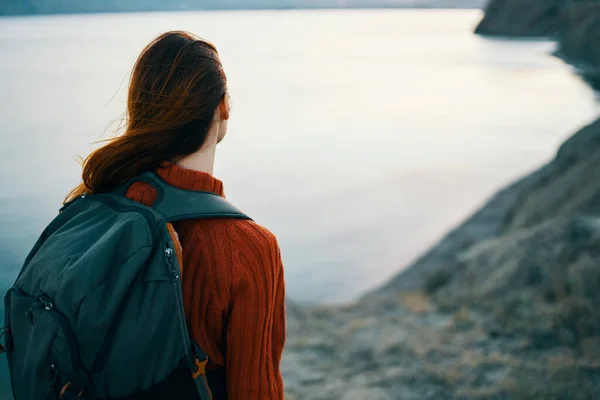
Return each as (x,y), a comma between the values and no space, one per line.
(188,179)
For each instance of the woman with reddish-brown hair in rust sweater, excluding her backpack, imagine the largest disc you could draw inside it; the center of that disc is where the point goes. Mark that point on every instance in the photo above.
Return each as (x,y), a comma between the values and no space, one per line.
(233,285)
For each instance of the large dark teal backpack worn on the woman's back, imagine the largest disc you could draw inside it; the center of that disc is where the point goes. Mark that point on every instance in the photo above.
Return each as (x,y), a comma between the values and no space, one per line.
(97,311)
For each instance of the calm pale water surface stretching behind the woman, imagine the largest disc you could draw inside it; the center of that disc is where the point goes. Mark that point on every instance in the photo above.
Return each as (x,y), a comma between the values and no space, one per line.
(357,137)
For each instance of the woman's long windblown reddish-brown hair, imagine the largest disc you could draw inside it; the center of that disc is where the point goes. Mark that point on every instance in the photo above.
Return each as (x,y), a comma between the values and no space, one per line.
(176,85)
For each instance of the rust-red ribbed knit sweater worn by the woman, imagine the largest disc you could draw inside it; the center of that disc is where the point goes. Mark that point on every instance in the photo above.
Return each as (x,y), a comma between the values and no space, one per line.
(233,290)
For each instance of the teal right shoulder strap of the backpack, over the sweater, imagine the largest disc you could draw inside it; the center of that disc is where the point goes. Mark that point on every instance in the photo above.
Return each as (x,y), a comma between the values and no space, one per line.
(176,204)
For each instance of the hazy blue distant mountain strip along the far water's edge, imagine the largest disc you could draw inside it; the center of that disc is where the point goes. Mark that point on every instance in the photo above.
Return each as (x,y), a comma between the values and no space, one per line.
(33,7)
